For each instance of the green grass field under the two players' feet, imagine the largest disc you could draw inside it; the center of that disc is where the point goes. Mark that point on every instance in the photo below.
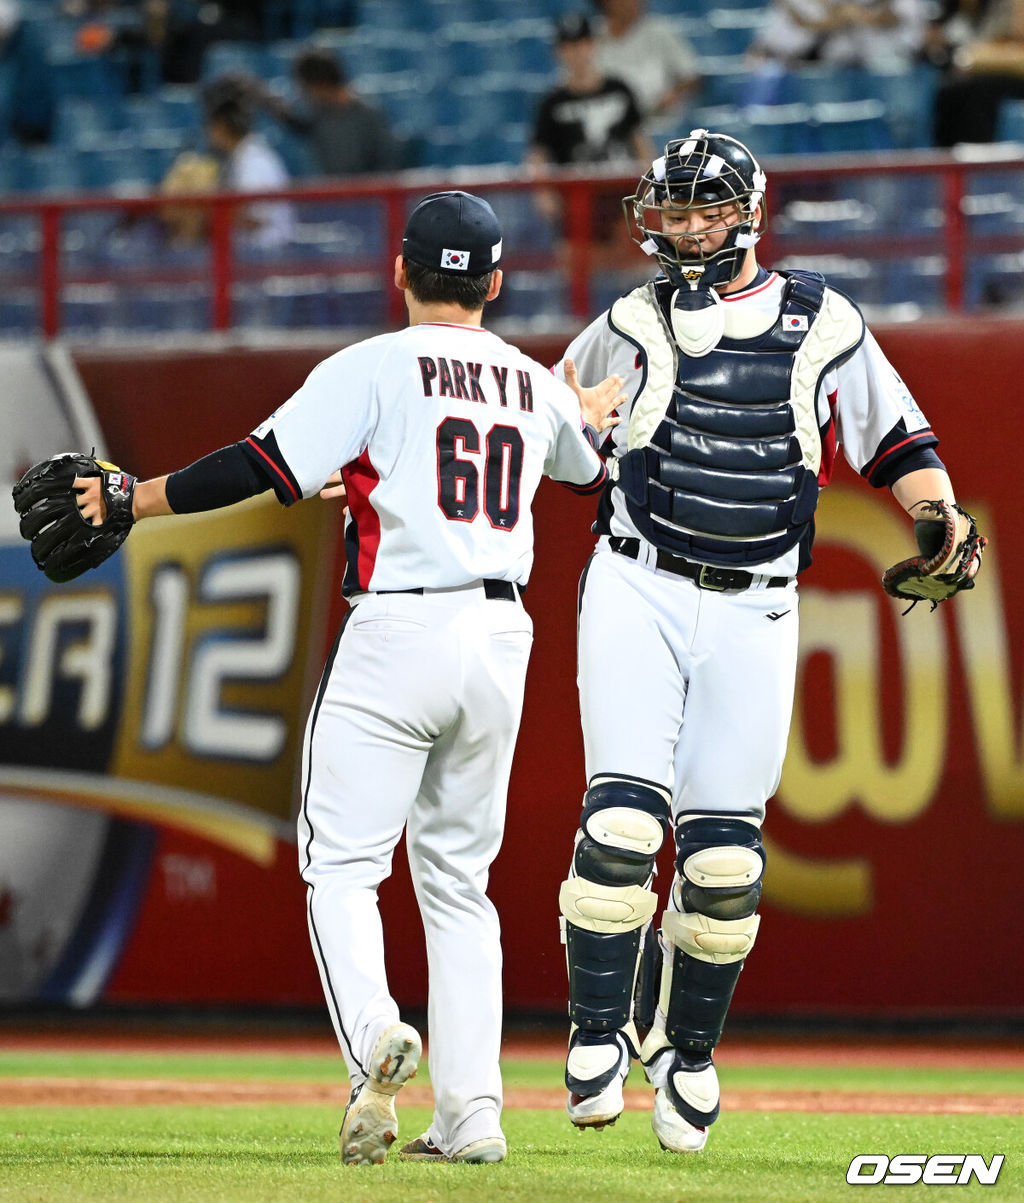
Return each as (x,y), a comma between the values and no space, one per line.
(247,1153)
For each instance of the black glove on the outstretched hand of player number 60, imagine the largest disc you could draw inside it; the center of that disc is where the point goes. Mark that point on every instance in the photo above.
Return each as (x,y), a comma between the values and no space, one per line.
(64,543)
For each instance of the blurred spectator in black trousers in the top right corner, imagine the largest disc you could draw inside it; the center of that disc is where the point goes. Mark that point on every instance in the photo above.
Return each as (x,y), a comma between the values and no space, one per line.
(986,72)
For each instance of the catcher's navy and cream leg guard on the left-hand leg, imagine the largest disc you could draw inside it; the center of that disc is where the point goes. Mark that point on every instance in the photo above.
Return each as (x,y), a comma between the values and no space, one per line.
(607,902)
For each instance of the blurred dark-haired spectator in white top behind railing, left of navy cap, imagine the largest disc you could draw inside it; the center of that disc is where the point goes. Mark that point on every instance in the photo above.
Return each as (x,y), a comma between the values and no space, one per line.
(250,165)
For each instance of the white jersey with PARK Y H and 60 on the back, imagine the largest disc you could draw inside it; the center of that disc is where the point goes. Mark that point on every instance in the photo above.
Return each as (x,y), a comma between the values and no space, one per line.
(443,434)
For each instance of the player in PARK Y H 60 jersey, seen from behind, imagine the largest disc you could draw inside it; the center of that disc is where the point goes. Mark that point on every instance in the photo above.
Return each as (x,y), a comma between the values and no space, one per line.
(442,432)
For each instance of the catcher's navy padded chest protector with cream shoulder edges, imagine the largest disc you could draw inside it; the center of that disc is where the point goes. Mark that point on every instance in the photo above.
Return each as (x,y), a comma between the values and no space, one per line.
(725,448)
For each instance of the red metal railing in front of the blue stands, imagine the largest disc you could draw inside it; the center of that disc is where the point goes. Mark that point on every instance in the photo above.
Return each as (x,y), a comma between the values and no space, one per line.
(951,239)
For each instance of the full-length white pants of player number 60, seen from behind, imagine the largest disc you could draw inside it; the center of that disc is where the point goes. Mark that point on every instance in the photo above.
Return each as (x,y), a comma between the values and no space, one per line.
(415,727)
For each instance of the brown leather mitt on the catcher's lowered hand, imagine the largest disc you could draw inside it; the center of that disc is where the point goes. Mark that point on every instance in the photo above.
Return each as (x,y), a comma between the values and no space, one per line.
(950,546)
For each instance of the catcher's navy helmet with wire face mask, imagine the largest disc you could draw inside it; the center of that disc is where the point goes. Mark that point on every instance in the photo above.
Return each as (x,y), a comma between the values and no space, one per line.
(701,171)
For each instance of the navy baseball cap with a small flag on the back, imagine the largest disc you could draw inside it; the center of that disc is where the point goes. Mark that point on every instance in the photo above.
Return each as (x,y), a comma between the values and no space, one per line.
(455,234)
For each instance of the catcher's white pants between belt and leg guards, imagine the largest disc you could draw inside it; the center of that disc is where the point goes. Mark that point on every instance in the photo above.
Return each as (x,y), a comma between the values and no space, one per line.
(689,689)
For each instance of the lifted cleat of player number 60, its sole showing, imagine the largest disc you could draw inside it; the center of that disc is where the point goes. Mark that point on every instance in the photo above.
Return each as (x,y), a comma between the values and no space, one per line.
(370,1125)
